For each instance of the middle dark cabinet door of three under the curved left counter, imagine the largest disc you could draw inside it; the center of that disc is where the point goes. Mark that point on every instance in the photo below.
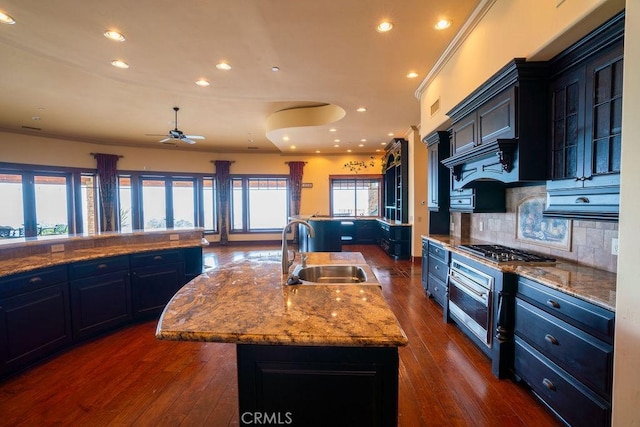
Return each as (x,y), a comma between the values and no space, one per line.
(100,303)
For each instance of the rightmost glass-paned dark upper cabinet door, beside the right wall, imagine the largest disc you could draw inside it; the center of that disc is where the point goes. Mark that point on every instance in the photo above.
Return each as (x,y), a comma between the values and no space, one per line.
(603,120)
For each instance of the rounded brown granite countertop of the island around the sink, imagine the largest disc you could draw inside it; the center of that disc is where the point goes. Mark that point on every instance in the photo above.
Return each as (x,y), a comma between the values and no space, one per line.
(248,302)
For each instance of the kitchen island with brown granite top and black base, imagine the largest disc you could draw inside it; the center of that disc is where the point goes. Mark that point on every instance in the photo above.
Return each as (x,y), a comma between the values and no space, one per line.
(313,354)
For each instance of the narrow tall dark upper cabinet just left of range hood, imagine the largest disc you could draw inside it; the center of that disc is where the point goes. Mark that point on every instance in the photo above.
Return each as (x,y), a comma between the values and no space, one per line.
(438,146)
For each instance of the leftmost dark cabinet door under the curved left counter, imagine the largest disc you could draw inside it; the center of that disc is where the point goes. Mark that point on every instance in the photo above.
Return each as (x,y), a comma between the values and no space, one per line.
(34,324)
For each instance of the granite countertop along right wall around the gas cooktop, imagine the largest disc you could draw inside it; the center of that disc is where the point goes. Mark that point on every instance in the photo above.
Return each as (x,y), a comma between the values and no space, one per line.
(590,284)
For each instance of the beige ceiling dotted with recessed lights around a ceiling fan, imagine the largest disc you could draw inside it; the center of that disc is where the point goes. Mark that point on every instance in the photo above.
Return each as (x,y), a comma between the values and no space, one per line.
(56,76)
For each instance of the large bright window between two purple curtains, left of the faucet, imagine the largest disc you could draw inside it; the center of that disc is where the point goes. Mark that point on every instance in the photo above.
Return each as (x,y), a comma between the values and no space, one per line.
(259,204)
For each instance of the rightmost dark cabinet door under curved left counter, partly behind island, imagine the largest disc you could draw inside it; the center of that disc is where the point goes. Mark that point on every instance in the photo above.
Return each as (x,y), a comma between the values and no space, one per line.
(152,287)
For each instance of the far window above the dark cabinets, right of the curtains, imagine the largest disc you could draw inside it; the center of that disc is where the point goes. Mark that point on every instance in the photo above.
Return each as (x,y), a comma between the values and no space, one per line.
(355,196)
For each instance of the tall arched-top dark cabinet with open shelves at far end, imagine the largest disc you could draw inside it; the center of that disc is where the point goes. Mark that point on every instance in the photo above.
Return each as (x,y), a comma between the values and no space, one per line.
(396,181)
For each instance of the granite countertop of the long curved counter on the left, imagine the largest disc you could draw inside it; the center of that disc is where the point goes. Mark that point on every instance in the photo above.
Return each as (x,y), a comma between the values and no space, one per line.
(17,259)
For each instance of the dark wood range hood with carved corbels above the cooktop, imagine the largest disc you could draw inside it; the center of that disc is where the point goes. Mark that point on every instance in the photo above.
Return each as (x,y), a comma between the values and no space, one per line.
(499,132)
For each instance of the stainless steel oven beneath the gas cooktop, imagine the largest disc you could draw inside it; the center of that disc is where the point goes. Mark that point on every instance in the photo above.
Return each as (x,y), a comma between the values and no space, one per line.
(471,299)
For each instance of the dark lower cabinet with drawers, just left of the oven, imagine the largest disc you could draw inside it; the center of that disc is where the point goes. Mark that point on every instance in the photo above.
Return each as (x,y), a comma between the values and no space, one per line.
(435,267)
